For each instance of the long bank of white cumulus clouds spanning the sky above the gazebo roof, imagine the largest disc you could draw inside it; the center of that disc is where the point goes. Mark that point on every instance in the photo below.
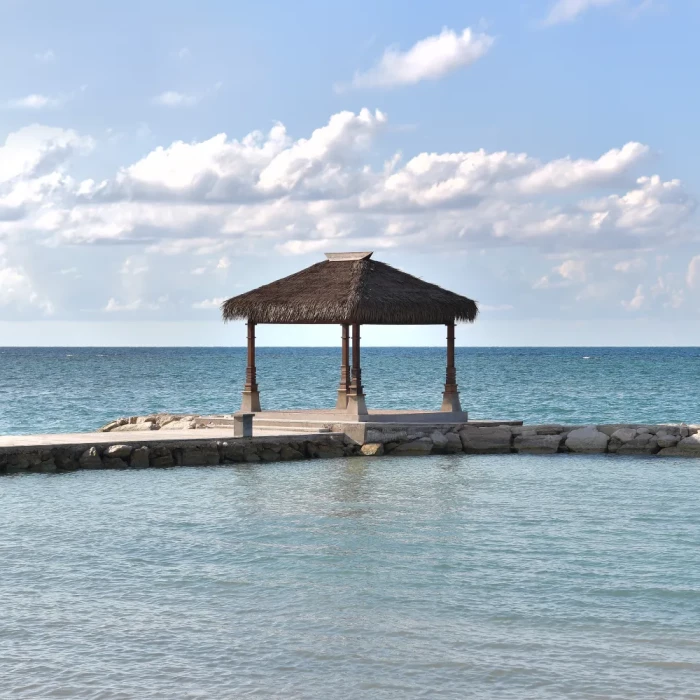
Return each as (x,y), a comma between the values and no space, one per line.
(222,196)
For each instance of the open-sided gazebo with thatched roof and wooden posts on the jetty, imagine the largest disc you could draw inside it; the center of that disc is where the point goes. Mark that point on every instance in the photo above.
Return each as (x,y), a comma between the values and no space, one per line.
(350,289)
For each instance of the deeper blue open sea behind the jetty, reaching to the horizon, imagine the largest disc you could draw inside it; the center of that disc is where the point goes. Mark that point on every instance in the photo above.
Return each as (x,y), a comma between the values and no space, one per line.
(79,389)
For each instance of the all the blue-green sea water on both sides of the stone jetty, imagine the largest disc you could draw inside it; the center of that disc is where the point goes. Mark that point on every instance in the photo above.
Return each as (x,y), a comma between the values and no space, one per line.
(456,576)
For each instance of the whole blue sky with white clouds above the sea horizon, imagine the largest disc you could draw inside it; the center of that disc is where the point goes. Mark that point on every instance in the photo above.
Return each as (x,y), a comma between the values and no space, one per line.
(540,157)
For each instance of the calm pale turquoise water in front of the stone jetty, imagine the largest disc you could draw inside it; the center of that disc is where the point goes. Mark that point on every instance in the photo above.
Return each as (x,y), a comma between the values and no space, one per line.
(507,577)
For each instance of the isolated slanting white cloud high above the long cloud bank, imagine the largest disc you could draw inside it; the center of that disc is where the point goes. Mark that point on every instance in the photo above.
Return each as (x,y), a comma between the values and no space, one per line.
(427,59)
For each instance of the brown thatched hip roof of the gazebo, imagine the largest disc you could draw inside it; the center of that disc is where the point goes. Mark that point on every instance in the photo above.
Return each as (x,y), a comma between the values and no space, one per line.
(350,288)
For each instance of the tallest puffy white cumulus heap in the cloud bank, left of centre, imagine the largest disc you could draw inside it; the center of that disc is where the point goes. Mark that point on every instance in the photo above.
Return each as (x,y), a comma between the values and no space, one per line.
(220,170)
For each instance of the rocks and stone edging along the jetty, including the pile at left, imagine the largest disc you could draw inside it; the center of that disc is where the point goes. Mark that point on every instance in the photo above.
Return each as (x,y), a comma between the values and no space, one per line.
(374,440)
